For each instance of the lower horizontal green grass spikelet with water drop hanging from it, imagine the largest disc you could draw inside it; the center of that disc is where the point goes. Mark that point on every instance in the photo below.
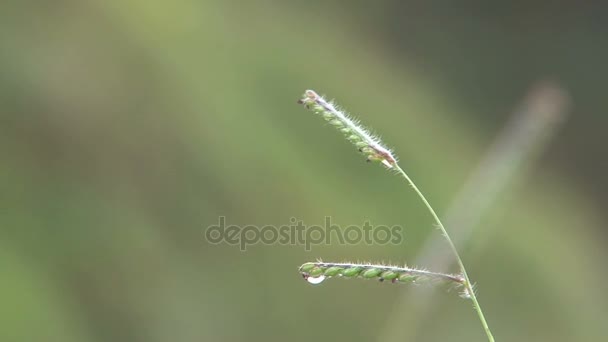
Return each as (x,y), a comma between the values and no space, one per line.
(320,271)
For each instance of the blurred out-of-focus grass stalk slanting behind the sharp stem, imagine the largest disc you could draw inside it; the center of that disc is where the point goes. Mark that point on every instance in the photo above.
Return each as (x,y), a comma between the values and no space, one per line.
(530,128)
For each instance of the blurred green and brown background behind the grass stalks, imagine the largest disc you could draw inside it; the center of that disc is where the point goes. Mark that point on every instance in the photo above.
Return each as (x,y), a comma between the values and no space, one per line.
(128,127)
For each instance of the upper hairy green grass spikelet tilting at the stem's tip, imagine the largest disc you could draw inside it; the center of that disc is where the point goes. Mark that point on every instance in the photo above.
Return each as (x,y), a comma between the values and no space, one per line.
(354,132)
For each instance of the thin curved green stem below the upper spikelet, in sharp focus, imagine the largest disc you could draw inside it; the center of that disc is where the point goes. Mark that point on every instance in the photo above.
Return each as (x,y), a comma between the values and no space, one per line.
(467,284)
